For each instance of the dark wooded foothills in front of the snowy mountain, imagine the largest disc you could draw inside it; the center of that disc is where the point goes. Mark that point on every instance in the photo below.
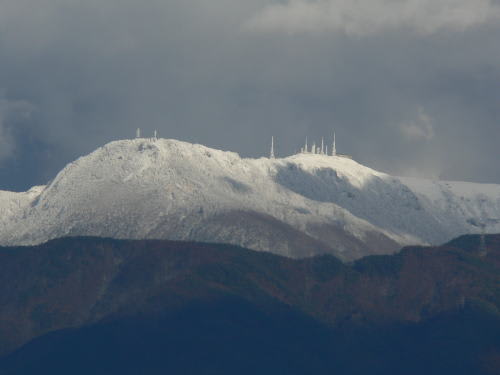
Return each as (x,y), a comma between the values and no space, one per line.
(102,306)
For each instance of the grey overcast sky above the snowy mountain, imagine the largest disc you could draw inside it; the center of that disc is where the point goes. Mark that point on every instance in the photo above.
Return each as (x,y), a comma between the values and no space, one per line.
(412,87)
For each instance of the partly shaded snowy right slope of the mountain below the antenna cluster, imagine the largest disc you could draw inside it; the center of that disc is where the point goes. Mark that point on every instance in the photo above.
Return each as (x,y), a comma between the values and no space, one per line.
(431,211)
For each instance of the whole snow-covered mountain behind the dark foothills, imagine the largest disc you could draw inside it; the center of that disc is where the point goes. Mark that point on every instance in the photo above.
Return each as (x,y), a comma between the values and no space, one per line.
(297,206)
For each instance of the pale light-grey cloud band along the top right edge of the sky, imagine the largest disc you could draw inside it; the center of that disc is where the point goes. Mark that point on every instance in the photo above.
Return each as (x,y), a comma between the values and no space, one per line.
(365,17)
